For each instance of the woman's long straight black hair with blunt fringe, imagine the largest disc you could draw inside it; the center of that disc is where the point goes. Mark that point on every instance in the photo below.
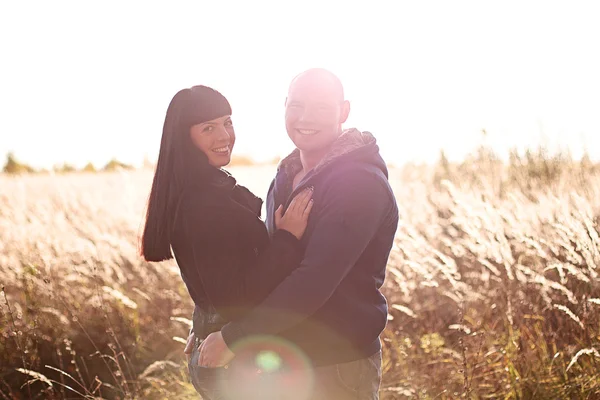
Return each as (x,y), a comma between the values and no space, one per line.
(179,164)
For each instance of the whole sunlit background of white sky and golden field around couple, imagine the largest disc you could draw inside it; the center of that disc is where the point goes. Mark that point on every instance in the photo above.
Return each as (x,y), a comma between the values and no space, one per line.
(487,113)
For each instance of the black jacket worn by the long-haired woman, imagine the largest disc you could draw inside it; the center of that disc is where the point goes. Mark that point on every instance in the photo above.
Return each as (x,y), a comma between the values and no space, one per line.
(223,250)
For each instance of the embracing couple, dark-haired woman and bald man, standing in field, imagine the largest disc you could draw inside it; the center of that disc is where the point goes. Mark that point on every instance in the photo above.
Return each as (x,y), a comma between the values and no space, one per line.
(290,308)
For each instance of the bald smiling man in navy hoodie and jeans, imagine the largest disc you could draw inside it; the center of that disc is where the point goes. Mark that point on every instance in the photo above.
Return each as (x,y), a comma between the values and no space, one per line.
(330,308)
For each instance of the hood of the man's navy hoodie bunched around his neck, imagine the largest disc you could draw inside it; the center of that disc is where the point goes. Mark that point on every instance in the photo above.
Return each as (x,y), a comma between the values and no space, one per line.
(352,144)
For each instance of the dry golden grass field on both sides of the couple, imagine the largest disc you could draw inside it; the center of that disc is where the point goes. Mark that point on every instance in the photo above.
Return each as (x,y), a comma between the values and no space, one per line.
(493,290)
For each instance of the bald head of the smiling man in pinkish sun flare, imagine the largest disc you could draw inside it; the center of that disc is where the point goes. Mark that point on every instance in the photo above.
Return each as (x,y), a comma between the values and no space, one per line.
(314,113)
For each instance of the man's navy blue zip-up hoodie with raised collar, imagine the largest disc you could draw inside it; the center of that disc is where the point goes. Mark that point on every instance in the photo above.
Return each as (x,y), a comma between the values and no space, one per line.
(331,307)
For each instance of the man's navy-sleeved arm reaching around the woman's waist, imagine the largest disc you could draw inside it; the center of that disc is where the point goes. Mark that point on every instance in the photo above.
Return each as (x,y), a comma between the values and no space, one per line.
(354,207)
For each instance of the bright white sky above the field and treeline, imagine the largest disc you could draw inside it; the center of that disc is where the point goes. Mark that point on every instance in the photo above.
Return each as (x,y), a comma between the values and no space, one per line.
(87,81)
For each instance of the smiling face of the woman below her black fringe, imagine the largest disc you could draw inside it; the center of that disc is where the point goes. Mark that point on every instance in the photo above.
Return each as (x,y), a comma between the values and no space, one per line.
(215,138)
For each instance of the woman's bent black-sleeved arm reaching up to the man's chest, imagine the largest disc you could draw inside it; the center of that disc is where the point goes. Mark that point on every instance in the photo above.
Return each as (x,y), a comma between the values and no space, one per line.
(229,279)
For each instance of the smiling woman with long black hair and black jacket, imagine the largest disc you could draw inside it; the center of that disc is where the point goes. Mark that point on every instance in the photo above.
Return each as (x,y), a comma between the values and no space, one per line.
(212,224)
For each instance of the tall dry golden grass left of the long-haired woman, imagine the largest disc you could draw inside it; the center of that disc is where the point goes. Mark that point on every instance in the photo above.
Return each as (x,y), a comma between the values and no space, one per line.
(79,305)
